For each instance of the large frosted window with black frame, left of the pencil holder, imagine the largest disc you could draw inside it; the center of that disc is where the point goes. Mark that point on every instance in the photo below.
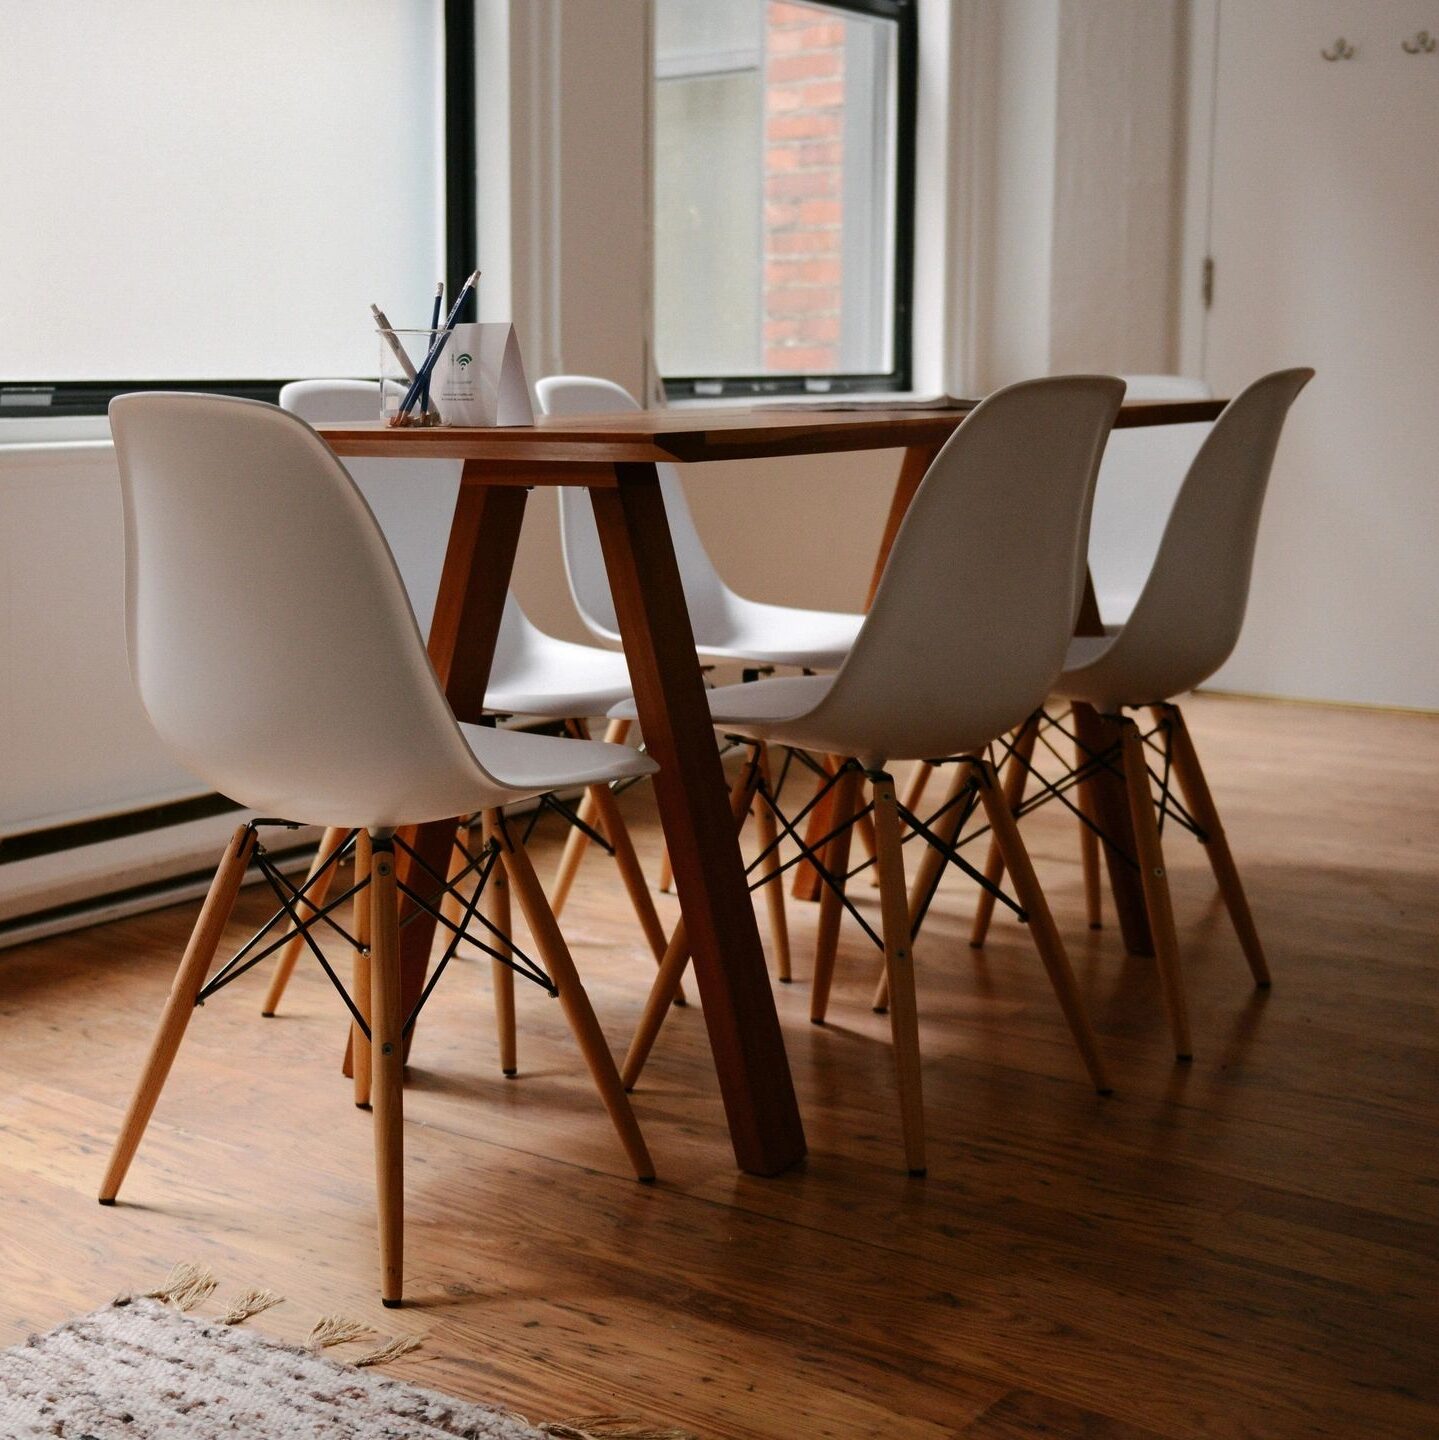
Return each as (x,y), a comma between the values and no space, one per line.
(210,197)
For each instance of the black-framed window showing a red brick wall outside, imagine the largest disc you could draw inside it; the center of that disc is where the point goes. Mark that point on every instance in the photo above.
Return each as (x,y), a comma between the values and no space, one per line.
(784,195)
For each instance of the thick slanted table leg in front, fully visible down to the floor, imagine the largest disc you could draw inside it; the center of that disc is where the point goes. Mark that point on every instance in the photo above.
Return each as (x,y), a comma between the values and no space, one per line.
(730,963)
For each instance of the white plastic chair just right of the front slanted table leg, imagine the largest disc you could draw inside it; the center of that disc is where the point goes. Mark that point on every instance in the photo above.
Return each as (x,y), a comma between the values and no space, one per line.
(966,637)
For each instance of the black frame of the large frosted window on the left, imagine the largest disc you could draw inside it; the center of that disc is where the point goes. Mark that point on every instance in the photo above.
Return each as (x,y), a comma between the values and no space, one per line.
(51,400)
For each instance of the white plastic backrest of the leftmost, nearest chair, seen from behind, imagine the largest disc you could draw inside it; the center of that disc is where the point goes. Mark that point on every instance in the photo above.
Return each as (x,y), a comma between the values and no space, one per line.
(270,636)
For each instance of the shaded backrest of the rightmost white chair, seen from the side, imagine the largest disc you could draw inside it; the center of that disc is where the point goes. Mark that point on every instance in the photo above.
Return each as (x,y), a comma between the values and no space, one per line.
(1192,608)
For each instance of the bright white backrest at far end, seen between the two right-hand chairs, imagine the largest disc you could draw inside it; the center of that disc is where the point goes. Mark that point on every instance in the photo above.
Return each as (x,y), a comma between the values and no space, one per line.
(1139,480)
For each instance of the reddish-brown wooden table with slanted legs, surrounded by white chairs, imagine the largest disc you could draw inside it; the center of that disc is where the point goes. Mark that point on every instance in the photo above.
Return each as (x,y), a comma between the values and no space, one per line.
(614,457)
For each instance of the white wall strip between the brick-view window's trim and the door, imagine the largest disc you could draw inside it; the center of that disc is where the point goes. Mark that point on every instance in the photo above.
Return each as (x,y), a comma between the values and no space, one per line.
(1074,109)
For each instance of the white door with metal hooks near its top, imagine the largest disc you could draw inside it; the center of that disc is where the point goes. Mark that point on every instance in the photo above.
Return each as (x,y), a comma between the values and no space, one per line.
(1326,241)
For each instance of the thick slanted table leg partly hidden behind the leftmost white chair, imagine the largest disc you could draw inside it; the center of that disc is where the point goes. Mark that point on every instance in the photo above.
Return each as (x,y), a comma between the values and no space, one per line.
(473,585)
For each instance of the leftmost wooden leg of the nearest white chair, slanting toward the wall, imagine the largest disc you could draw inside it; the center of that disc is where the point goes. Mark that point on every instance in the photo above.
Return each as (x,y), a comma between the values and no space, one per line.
(189,980)
